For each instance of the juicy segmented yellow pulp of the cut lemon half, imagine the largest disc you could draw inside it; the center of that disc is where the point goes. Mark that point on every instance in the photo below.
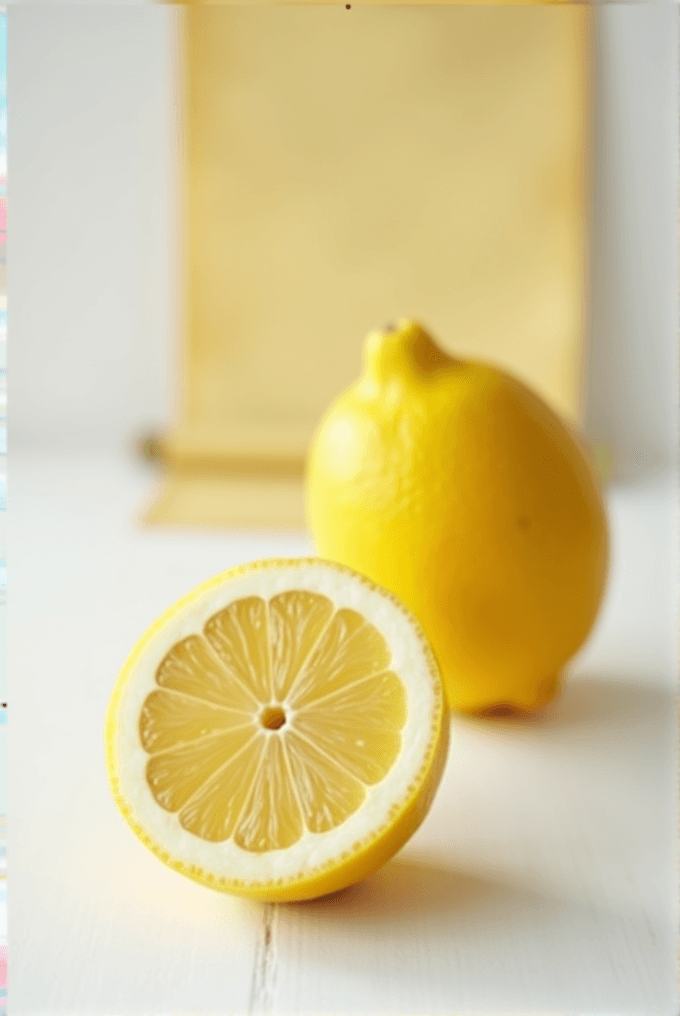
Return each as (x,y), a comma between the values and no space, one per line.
(273,722)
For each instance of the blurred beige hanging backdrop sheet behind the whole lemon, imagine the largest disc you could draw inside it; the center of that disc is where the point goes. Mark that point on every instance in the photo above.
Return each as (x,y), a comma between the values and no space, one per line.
(347,168)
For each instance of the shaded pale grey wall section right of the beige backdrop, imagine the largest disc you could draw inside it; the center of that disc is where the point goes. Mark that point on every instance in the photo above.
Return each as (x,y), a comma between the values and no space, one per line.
(634,352)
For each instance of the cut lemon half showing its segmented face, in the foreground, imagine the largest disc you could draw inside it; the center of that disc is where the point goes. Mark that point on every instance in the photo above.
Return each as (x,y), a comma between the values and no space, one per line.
(280,732)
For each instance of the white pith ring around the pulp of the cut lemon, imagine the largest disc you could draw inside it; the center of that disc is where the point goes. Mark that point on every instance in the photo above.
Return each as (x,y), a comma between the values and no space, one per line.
(410,661)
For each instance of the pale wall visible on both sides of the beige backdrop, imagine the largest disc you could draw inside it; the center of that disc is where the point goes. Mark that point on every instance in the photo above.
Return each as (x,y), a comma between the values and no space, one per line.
(91,227)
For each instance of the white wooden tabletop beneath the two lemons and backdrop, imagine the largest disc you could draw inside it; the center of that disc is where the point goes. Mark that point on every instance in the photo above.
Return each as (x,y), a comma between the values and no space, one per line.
(544,879)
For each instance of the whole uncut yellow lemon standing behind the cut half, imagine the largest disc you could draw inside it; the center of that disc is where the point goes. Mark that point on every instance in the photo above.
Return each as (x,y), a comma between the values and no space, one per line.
(454,485)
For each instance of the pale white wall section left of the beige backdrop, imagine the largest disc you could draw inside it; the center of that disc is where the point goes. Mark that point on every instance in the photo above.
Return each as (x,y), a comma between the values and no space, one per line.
(91,222)
